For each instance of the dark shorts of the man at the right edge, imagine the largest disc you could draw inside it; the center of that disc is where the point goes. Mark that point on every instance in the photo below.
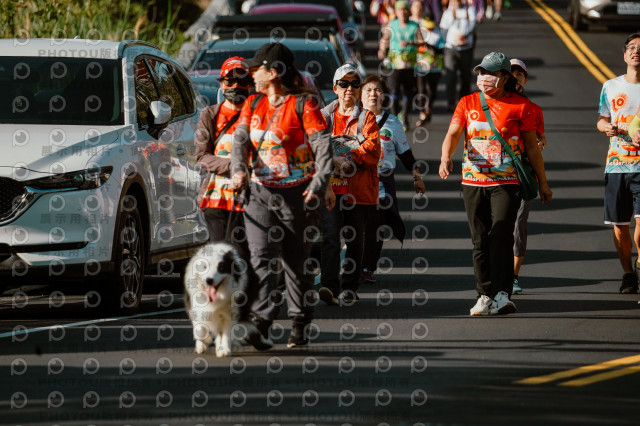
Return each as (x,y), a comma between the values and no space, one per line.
(621,197)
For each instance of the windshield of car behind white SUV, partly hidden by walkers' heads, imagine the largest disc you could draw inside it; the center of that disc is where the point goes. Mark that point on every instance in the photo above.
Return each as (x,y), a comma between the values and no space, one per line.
(321,64)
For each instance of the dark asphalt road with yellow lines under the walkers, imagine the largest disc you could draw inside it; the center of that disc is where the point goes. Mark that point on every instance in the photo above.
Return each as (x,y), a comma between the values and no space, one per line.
(408,353)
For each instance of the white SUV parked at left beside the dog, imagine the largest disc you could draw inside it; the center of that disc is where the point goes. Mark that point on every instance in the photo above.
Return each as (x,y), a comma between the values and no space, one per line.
(98,175)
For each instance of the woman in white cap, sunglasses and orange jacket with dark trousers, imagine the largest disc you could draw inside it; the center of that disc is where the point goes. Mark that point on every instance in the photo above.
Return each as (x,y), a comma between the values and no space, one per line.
(356,151)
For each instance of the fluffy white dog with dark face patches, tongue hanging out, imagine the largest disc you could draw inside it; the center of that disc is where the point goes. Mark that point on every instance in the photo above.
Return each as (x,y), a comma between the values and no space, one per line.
(214,278)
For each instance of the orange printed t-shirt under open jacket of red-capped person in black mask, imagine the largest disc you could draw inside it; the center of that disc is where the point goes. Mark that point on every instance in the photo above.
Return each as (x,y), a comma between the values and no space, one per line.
(219,194)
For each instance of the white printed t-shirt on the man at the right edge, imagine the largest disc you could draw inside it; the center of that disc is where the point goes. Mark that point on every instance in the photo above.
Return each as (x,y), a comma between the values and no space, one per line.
(619,101)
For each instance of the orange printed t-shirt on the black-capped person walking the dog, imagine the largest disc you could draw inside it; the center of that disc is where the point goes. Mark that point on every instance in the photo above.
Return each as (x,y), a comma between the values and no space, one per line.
(285,157)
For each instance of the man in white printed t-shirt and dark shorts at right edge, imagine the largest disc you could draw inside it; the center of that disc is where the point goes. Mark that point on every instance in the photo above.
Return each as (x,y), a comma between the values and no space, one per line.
(619,100)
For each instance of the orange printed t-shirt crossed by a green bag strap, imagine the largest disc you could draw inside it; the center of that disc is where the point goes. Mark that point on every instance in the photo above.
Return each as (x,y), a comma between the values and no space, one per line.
(484,161)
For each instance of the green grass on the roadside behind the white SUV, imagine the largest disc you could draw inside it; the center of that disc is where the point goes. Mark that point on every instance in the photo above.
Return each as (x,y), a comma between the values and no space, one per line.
(161,22)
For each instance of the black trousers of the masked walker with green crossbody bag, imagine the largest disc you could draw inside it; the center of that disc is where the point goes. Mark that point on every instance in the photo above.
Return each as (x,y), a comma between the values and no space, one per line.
(492,212)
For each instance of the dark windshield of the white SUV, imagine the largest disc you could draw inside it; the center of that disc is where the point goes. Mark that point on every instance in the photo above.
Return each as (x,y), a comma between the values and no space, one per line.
(55,90)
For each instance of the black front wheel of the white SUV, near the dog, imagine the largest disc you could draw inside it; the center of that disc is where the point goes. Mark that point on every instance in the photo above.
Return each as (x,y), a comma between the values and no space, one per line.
(121,291)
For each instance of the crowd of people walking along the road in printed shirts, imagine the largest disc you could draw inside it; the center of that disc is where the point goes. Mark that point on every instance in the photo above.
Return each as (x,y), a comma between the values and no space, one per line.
(300,166)
